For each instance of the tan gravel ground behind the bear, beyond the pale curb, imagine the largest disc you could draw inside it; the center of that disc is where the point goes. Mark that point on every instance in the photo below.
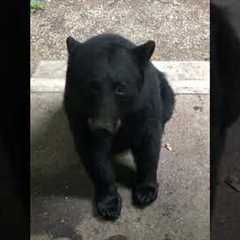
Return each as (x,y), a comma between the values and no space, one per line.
(180,28)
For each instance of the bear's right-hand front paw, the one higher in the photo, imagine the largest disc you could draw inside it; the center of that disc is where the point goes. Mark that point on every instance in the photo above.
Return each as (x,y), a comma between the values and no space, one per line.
(144,195)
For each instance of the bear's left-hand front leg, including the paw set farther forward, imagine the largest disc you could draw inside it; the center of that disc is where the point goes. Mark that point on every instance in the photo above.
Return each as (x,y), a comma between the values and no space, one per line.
(96,157)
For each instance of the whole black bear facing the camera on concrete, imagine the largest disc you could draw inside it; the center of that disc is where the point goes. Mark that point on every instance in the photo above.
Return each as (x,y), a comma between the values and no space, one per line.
(115,100)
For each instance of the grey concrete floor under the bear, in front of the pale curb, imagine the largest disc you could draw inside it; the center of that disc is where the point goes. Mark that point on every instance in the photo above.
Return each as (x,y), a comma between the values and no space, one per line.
(62,193)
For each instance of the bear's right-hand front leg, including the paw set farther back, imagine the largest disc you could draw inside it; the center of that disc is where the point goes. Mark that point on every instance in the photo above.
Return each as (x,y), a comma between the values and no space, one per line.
(146,152)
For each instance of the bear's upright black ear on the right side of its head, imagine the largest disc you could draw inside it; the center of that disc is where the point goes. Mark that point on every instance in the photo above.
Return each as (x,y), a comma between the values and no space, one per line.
(144,52)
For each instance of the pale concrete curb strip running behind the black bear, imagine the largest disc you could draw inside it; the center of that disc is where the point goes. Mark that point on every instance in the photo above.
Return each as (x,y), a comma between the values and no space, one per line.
(185,77)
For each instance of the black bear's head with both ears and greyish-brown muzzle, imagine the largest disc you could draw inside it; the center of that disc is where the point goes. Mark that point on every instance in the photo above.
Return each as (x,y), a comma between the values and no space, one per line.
(105,77)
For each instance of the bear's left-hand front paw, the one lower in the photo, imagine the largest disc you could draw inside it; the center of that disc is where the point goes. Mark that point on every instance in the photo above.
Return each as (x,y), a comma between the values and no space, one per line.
(109,206)
